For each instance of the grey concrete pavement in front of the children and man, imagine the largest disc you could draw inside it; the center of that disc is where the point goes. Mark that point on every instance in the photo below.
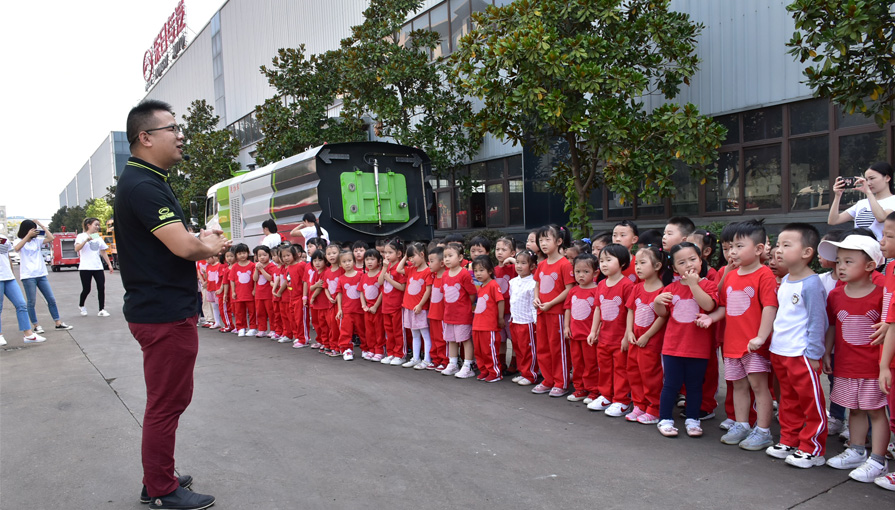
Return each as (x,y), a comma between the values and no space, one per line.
(272,427)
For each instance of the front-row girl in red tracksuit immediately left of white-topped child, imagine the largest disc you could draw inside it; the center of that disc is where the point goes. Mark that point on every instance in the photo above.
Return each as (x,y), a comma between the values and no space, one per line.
(487,321)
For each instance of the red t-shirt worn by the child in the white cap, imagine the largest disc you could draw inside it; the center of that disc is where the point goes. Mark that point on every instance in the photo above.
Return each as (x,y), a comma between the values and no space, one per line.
(854,318)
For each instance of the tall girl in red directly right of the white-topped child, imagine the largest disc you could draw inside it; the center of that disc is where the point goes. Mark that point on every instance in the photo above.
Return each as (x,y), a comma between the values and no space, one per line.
(553,279)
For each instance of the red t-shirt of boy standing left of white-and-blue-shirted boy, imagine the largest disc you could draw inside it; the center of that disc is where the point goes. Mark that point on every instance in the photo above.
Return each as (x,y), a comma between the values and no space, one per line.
(745,296)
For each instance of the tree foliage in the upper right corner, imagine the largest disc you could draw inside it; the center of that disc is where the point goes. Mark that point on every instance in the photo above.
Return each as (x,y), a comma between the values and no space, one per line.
(851,47)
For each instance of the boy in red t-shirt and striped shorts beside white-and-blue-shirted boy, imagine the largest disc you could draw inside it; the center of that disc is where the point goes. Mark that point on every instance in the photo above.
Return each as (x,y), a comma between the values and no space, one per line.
(748,303)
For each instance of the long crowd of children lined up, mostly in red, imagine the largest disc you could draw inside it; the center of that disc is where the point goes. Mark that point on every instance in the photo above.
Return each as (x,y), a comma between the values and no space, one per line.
(631,323)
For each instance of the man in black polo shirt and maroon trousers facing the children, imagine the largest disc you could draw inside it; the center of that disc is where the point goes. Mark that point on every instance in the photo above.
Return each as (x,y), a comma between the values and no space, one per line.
(157,256)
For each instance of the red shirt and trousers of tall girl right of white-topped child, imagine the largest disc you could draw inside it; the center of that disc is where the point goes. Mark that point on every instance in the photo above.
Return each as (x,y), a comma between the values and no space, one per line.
(553,349)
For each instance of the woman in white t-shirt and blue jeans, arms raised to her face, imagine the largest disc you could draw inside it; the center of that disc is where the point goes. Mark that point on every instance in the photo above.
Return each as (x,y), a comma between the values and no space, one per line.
(33,271)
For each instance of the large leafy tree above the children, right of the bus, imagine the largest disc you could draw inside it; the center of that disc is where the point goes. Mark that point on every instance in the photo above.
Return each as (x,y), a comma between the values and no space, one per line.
(576,72)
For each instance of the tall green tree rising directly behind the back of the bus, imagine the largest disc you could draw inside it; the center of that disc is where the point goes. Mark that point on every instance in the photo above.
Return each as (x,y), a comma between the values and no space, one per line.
(407,95)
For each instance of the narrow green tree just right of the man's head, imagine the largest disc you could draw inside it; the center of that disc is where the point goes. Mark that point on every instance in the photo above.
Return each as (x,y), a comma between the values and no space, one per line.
(212,152)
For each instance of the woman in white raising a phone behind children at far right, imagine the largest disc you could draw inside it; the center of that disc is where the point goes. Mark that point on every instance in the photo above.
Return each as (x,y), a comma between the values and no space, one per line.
(870,212)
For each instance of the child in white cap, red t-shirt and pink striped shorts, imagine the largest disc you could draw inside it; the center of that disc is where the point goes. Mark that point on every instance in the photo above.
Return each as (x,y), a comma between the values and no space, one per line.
(853,309)
